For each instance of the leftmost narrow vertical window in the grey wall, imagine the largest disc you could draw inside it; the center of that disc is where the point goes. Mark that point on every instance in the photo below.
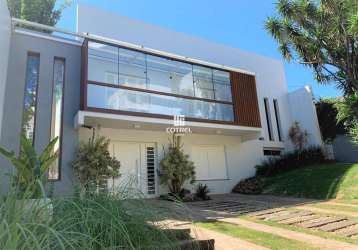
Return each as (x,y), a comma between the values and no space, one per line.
(30,96)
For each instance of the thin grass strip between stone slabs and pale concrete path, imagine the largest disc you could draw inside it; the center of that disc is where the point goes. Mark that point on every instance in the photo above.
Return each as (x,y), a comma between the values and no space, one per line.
(322,234)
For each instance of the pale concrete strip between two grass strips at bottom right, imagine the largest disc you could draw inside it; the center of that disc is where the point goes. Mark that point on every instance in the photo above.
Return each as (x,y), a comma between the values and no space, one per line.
(307,238)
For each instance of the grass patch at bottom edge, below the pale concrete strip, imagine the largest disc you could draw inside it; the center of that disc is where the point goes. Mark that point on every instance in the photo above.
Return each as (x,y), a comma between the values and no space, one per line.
(259,238)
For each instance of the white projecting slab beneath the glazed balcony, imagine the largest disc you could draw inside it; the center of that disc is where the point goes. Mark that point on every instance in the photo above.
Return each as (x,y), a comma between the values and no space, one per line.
(116,121)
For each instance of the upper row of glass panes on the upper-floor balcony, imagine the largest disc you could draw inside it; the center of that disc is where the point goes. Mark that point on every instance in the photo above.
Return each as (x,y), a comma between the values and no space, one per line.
(112,65)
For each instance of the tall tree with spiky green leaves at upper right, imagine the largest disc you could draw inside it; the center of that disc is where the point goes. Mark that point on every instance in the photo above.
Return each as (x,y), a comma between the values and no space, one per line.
(321,34)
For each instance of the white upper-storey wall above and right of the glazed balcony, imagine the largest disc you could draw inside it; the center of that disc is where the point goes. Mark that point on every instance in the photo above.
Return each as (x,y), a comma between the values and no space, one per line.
(270,77)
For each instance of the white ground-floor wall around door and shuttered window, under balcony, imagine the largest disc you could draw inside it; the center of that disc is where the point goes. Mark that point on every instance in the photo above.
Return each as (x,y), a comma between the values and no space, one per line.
(241,156)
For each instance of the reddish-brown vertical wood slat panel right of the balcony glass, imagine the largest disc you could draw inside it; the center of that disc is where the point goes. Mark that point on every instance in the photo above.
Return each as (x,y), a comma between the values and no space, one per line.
(246,107)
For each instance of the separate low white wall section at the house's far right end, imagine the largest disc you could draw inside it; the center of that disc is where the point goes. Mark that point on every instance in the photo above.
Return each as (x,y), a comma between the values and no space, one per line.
(303,110)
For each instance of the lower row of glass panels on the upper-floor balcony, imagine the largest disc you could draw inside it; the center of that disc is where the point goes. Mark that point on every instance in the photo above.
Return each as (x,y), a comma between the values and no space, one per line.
(137,101)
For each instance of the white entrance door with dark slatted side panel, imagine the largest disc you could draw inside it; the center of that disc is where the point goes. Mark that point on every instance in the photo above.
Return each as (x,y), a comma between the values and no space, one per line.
(138,167)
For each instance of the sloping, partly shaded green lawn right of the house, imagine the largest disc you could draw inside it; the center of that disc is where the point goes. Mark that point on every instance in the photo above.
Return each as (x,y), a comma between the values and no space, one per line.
(326,181)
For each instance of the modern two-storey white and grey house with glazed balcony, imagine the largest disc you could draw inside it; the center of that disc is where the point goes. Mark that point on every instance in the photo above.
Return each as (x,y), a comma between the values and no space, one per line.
(129,80)
